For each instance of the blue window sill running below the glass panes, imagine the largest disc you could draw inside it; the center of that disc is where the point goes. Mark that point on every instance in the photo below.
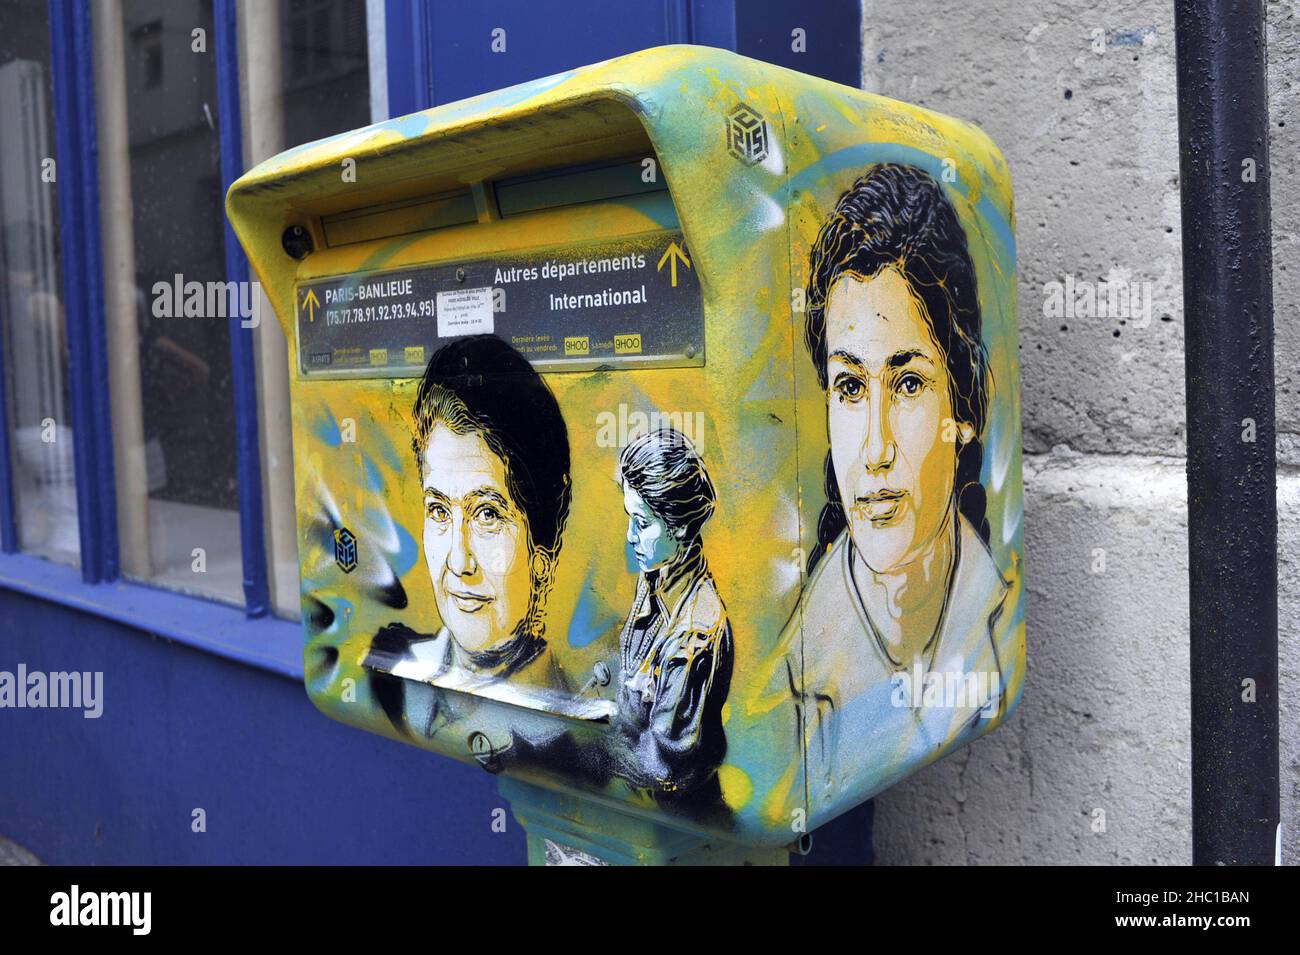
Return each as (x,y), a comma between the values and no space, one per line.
(268,644)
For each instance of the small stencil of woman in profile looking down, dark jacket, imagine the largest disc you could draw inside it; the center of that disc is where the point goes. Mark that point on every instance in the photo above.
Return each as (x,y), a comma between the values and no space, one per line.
(677,644)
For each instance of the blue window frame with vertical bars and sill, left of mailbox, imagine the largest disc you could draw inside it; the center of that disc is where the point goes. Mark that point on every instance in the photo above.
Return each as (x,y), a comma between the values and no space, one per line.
(242,635)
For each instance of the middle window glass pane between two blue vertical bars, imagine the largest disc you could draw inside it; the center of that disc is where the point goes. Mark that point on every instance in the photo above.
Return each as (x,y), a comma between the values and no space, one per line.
(164,272)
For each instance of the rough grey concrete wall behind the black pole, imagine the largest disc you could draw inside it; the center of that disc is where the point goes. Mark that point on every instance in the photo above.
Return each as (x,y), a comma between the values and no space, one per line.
(1081,98)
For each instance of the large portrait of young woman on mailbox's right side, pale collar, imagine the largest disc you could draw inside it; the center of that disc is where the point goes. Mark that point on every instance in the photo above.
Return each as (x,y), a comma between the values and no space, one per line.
(903,584)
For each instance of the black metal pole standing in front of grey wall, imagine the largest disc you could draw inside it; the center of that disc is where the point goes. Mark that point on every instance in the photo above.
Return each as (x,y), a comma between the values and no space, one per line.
(1232,467)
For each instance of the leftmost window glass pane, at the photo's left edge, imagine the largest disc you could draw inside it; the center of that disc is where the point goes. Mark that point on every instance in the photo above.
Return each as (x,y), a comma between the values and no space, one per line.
(32,310)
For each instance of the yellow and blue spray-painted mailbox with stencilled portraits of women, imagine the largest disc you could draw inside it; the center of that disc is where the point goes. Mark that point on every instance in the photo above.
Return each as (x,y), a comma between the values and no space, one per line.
(657,442)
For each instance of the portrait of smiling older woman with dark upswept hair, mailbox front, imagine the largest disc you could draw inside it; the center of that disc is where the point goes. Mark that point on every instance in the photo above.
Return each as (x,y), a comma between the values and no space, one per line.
(493,461)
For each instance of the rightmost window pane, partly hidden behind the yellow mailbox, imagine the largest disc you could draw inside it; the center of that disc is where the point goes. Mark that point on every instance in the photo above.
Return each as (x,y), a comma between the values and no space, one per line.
(306,76)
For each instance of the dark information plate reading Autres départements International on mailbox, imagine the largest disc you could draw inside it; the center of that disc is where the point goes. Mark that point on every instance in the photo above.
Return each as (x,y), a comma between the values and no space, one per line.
(627,303)
